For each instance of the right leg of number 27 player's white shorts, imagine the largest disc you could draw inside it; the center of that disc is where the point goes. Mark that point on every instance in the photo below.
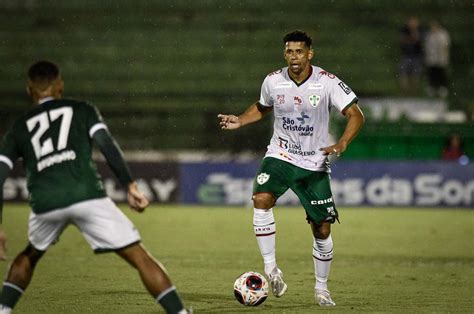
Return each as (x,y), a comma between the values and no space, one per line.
(104,226)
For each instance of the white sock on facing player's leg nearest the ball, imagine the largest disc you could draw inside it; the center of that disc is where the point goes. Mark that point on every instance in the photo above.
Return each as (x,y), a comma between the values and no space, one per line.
(265,228)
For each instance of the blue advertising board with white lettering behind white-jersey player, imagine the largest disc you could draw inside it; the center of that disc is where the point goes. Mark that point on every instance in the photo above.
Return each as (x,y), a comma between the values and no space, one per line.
(355,183)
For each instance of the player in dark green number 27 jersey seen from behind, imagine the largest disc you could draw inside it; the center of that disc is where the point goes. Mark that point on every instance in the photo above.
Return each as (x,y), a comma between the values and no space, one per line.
(55,141)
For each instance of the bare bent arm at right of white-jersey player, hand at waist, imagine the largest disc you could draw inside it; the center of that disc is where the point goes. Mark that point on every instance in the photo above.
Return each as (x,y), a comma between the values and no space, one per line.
(355,121)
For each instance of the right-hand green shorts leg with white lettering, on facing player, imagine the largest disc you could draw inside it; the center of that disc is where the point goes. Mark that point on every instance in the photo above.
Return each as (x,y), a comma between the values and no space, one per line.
(314,191)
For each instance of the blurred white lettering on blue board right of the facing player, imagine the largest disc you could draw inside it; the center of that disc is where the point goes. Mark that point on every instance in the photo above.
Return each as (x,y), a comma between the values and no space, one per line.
(425,189)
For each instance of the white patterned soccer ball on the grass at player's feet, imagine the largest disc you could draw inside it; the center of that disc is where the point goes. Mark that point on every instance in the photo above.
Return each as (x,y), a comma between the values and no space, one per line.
(251,288)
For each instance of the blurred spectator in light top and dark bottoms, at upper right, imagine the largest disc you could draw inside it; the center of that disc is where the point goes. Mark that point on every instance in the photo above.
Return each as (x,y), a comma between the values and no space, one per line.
(437,44)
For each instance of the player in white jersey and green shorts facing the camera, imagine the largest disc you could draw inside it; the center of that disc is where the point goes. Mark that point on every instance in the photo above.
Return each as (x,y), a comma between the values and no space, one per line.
(301,97)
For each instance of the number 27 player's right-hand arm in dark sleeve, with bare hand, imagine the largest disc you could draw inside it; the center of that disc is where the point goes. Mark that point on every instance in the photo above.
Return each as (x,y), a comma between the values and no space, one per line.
(112,153)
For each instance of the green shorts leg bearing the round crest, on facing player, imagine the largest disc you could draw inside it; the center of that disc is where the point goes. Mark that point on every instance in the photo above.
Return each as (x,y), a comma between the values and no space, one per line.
(272,177)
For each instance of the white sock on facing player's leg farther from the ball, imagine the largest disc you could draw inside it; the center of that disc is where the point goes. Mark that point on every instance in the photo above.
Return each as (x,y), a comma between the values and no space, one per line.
(322,258)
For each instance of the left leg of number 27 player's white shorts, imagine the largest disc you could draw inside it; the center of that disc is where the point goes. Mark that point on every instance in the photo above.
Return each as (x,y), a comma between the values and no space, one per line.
(45,229)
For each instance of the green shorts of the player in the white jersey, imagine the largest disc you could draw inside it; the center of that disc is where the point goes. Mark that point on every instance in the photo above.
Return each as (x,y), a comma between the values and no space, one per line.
(312,188)
